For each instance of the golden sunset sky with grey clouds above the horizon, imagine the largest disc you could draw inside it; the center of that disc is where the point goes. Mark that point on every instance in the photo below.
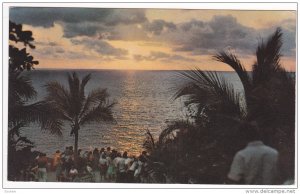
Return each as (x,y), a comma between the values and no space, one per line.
(98,38)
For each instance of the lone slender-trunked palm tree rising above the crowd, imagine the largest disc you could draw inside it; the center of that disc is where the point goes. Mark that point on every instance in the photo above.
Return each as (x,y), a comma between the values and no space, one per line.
(73,106)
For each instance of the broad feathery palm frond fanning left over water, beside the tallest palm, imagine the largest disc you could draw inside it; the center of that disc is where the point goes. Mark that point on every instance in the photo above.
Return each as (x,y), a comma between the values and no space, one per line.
(209,88)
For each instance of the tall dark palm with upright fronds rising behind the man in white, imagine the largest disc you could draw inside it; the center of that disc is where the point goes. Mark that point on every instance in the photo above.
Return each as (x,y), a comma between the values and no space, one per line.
(270,91)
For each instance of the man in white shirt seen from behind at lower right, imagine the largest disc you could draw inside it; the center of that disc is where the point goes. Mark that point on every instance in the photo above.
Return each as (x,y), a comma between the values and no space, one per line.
(257,163)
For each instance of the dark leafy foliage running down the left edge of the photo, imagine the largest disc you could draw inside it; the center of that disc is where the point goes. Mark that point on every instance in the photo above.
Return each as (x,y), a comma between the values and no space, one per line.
(20,91)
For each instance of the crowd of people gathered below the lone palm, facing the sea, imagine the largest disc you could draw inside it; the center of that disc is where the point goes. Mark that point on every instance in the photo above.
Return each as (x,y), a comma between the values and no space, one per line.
(104,165)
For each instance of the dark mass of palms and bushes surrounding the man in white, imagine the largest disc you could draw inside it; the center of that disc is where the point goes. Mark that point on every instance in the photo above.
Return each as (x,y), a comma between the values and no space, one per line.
(202,149)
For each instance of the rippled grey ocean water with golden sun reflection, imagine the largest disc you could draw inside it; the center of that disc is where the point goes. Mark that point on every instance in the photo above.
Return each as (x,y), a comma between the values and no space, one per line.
(144,101)
